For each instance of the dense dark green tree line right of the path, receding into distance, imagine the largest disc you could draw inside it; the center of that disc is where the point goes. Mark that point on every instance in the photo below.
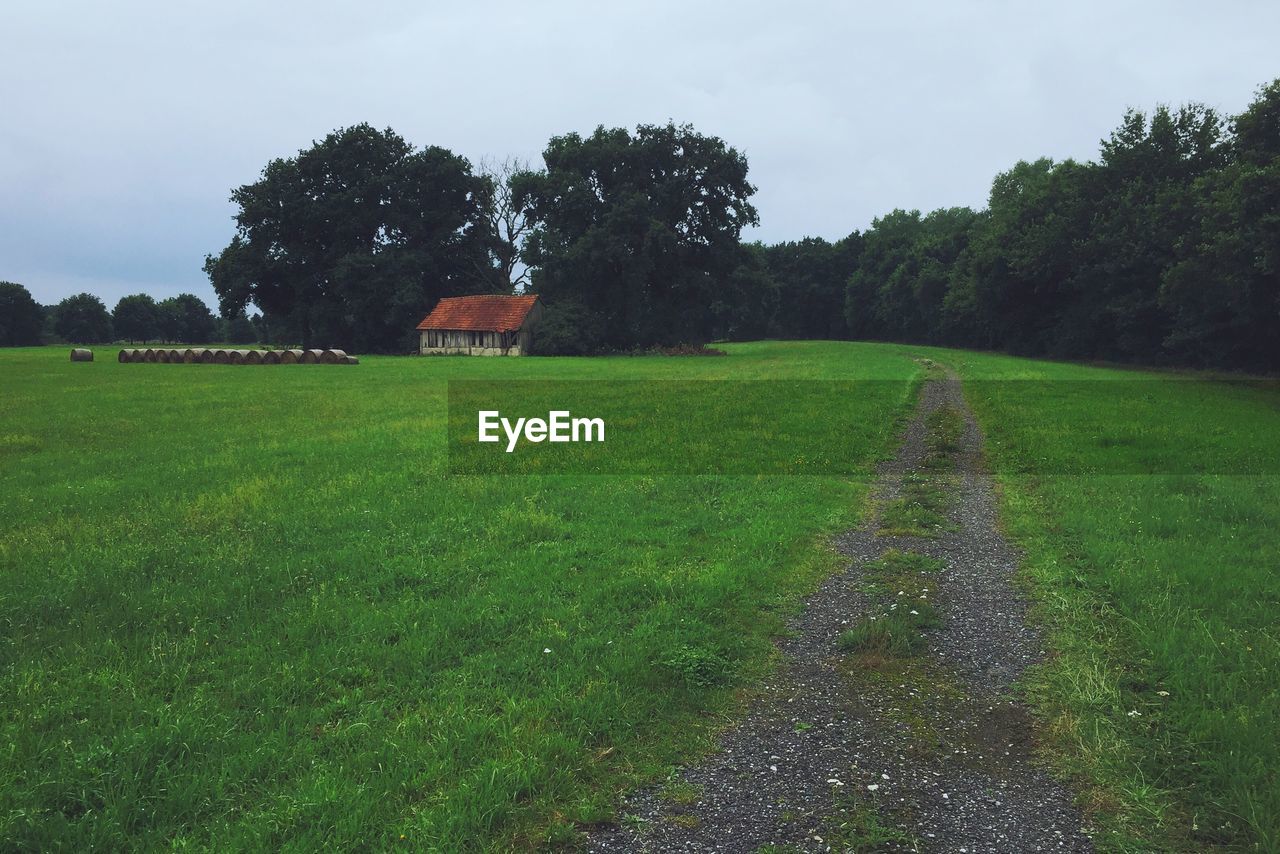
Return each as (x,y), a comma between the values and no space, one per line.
(1165,250)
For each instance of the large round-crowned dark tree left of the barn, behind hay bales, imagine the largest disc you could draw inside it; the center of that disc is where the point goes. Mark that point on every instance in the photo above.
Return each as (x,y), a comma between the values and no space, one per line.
(355,239)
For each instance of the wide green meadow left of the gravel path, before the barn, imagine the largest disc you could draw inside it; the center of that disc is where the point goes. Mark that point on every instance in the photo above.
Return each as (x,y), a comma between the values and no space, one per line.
(248,608)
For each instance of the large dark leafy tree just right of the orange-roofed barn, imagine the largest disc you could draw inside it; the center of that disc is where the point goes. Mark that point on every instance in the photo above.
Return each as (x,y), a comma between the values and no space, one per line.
(641,230)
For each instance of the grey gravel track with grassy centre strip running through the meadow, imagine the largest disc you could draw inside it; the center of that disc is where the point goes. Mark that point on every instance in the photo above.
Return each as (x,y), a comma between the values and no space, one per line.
(889,727)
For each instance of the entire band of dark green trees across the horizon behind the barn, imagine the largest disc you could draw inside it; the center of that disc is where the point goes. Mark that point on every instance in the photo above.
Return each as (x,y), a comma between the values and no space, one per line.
(1163,250)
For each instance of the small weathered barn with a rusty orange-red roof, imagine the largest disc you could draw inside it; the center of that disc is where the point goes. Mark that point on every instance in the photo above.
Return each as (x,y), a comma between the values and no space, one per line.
(484,325)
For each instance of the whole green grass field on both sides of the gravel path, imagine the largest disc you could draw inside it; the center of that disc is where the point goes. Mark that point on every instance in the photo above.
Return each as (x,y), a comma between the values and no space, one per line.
(248,608)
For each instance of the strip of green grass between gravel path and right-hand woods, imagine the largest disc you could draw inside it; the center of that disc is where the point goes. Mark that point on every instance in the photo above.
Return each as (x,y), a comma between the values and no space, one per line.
(1149,506)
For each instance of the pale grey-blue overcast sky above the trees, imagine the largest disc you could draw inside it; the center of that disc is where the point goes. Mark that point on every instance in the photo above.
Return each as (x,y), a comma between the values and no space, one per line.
(125,126)
